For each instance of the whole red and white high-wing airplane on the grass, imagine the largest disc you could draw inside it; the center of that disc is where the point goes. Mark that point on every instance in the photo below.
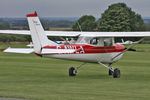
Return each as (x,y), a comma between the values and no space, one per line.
(94,47)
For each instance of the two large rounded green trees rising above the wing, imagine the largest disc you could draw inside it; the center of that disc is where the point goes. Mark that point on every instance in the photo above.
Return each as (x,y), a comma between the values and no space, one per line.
(118,17)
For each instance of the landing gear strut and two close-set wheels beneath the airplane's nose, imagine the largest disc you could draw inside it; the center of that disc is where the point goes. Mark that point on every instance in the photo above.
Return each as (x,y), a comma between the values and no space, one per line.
(115,72)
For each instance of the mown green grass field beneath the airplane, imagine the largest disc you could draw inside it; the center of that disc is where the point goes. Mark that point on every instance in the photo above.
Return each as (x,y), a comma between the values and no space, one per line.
(32,77)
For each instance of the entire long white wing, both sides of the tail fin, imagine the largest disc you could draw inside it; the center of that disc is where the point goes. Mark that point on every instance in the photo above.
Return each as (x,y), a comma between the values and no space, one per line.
(89,34)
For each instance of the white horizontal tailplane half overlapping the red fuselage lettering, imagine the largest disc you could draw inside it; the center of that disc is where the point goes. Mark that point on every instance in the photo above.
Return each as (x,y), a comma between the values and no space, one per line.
(57,51)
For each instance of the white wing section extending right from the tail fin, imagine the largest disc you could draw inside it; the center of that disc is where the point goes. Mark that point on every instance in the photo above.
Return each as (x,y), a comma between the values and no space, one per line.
(98,34)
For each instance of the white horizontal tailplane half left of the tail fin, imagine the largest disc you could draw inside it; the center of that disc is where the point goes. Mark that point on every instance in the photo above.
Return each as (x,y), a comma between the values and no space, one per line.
(19,50)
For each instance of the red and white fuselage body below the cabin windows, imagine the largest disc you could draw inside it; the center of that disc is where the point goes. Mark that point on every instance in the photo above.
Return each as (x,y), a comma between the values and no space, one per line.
(88,53)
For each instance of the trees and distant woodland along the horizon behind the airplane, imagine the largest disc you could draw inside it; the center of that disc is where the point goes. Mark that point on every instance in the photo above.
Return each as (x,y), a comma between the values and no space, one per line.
(118,17)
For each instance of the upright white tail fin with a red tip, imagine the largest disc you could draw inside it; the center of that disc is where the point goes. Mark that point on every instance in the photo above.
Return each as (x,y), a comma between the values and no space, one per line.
(38,35)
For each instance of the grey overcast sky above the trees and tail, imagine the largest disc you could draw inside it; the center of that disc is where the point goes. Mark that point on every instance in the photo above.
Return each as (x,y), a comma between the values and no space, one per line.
(67,8)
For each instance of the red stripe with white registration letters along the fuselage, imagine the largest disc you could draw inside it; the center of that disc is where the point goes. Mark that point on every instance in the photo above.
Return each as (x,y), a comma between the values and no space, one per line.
(90,48)
